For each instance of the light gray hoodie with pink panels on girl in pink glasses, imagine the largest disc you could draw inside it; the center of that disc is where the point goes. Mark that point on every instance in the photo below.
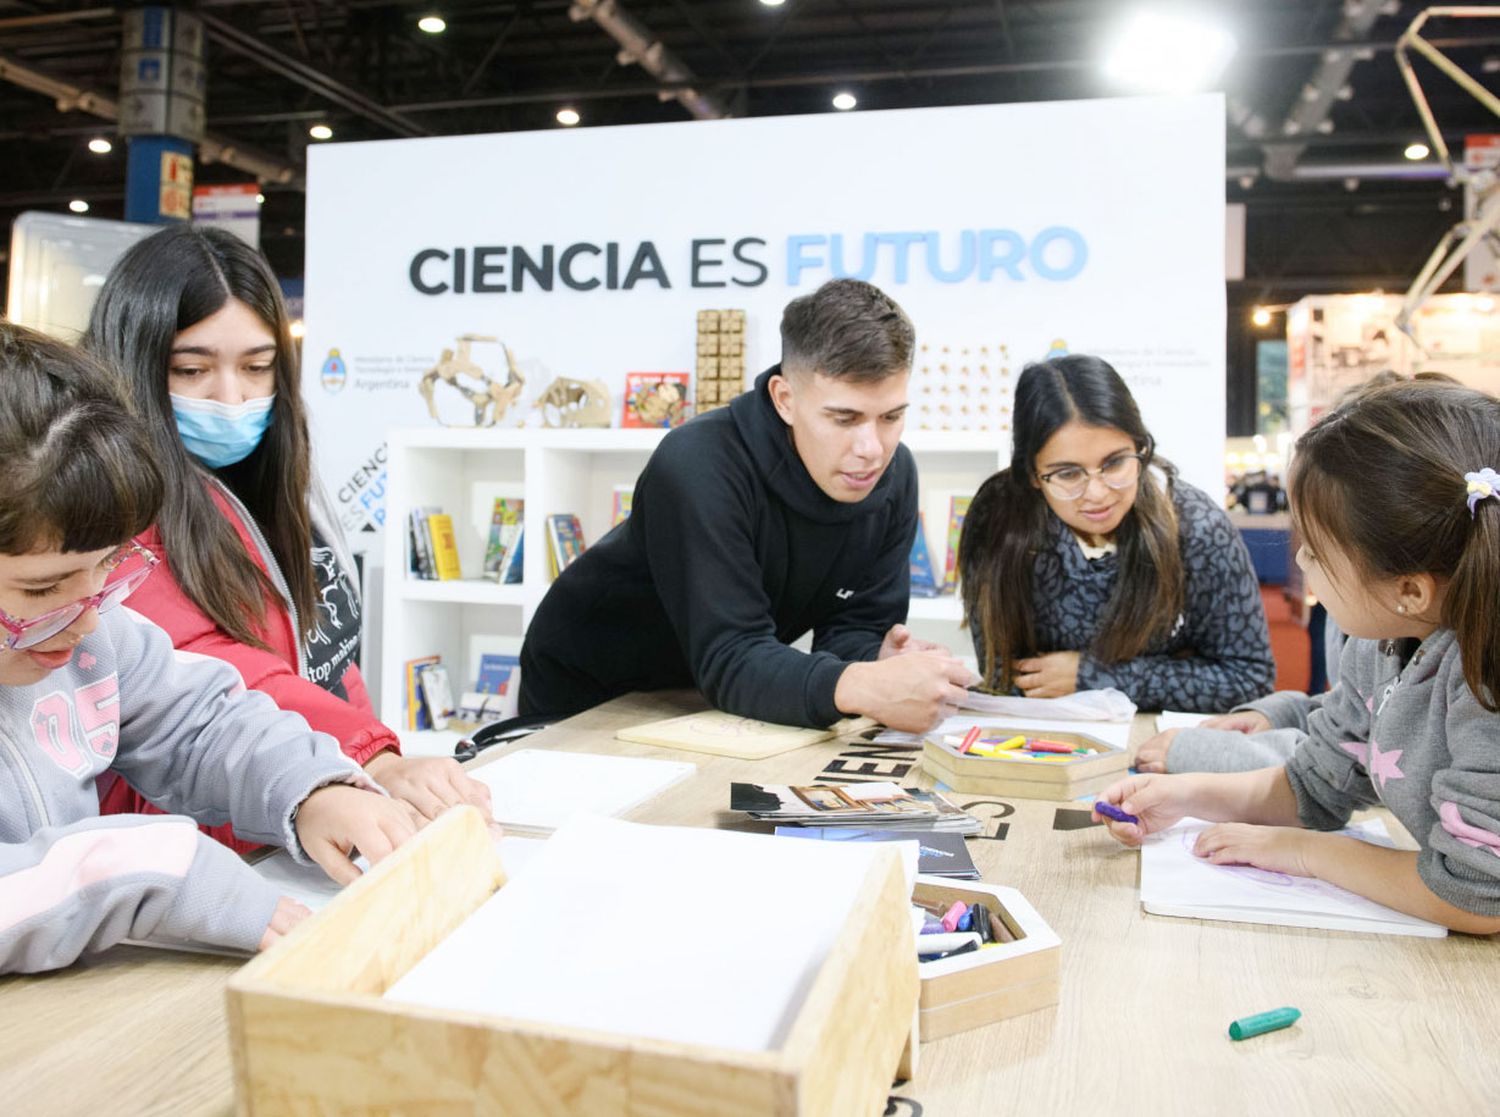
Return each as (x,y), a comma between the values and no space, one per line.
(185,732)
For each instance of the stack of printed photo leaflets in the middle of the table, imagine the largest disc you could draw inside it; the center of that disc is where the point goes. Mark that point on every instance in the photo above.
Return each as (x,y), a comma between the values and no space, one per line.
(863,804)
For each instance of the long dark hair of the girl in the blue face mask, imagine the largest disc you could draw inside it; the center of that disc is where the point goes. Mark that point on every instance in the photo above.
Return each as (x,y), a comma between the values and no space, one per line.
(160,287)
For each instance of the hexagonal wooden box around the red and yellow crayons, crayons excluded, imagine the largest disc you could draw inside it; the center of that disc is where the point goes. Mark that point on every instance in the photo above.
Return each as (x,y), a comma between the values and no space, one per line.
(1028,779)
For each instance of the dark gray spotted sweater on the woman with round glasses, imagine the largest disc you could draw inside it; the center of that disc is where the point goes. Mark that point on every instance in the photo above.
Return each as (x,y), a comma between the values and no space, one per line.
(1219,654)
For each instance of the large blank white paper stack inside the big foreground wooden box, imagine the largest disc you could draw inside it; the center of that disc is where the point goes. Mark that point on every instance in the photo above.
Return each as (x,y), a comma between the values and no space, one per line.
(683,935)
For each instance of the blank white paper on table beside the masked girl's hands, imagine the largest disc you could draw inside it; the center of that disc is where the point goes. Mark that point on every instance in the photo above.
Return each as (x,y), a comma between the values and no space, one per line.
(539,789)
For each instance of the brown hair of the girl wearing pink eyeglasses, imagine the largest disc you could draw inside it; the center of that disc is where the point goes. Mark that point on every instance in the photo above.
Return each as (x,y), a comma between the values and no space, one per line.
(77,463)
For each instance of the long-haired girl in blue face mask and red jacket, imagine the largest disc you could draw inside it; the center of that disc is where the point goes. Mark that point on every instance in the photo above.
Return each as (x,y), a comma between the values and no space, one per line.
(254,563)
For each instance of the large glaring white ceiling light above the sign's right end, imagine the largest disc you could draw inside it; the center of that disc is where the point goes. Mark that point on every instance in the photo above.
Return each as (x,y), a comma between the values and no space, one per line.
(1168,53)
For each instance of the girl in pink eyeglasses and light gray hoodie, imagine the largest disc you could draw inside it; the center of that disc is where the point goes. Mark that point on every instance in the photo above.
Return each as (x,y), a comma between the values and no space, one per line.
(88,687)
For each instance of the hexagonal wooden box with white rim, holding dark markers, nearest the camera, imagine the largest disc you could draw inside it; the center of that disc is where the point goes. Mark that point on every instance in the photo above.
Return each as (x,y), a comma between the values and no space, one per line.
(992,983)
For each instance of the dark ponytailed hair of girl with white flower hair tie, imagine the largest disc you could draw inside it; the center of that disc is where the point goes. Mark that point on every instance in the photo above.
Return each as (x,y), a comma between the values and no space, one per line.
(1381,479)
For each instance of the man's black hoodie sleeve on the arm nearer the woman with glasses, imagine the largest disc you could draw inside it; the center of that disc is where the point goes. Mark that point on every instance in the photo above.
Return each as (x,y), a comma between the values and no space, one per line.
(886,597)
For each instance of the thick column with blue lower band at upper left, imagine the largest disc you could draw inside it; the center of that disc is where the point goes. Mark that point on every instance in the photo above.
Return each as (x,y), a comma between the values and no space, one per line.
(163,91)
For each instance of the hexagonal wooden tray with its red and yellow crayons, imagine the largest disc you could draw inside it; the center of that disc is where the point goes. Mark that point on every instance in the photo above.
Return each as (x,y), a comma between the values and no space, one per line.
(1001,761)
